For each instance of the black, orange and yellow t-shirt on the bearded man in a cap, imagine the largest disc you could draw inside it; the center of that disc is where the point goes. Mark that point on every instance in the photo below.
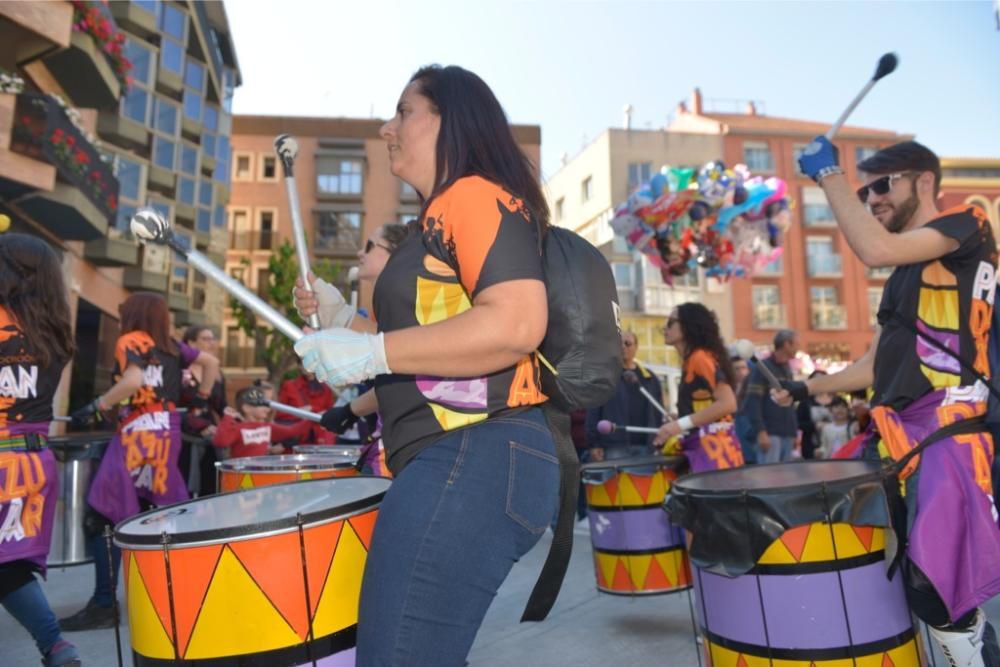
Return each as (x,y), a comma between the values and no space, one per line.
(949,300)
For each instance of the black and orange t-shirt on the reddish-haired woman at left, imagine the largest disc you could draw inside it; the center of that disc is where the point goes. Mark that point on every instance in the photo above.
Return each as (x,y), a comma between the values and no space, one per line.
(161,372)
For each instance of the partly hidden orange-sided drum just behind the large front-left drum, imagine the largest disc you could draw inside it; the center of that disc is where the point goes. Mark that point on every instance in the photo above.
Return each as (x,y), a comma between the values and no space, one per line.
(253,471)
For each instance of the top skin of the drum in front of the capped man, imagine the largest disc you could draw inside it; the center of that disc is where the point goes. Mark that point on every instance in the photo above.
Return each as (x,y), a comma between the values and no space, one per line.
(777,476)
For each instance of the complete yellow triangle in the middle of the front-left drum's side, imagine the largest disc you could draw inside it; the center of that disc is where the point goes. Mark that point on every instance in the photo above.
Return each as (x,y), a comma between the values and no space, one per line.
(236,617)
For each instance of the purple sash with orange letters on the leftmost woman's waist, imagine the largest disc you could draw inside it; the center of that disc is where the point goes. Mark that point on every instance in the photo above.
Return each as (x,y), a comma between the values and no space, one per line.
(29,487)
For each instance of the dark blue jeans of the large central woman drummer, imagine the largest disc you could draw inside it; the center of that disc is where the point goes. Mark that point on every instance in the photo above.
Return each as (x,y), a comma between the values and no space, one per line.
(450,528)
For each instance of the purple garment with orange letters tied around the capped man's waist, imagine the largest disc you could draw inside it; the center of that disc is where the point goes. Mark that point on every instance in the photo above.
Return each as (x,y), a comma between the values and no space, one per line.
(954,537)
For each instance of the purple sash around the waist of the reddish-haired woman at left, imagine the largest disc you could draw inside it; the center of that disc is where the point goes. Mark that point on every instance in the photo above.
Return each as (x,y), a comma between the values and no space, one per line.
(140,462)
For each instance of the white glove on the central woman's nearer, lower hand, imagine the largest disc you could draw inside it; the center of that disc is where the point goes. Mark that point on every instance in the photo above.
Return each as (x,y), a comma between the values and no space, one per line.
(341,357)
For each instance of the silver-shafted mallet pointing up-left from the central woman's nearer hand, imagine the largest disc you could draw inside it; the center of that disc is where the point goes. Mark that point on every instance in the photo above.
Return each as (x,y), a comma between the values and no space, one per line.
(149,226)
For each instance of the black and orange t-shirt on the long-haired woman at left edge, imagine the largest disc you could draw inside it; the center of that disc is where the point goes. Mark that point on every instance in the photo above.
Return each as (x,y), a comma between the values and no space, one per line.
(26,387)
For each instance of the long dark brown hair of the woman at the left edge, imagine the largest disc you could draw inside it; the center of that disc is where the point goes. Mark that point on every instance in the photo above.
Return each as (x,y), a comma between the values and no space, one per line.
(33,292)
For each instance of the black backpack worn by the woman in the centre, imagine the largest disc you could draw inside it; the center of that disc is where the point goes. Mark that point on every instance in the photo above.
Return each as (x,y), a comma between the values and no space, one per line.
(581,354)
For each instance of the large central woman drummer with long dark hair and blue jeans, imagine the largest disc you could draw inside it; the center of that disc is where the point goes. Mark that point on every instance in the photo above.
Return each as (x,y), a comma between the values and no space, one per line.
(461,306)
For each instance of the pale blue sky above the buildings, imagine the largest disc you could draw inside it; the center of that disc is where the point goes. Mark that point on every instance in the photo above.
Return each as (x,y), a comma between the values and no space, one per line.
(571,67)
